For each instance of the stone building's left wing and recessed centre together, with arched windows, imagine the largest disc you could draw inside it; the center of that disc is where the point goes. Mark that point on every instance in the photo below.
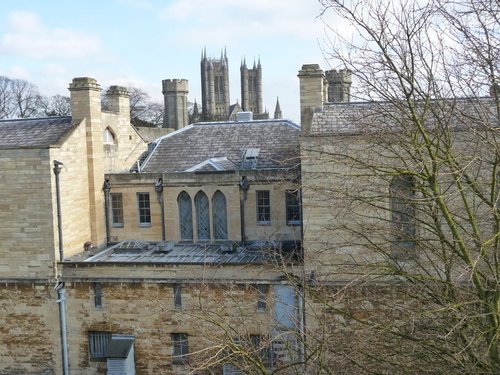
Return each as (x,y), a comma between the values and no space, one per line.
(157,256)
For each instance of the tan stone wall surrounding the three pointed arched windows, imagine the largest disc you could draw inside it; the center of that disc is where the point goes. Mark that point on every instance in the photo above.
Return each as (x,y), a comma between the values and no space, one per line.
(130,184)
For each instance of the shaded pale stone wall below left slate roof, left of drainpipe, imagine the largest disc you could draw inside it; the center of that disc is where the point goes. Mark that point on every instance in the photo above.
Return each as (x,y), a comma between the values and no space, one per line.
(27,233)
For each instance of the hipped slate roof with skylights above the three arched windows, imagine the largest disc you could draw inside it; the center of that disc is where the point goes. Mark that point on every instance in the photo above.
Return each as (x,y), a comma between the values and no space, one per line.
(221,146)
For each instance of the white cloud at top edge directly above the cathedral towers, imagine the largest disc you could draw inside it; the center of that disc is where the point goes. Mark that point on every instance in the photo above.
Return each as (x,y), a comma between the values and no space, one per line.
(229,20)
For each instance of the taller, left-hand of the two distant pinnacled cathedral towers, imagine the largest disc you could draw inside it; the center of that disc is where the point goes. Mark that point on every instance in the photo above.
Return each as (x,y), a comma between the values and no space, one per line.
(214,87)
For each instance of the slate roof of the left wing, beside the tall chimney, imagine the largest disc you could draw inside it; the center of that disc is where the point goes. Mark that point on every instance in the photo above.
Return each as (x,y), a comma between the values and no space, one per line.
(33,132)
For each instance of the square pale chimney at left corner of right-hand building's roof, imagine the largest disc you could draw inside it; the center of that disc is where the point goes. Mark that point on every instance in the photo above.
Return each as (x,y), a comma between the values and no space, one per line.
(313,88)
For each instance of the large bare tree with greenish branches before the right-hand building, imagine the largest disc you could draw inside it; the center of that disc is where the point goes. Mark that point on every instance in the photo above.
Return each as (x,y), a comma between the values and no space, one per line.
(406,270)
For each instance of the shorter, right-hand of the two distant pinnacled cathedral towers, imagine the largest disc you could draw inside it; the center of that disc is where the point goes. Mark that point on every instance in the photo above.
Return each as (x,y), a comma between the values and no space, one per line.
(251,88)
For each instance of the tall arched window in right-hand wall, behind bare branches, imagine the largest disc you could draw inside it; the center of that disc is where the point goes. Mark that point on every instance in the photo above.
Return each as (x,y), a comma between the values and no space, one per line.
(403,211)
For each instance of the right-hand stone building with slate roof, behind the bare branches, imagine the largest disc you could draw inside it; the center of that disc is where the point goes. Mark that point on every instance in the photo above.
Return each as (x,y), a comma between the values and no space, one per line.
(377,249)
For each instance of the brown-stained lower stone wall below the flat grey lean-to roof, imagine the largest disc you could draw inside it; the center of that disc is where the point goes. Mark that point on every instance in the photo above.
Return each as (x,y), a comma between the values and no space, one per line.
(211,315)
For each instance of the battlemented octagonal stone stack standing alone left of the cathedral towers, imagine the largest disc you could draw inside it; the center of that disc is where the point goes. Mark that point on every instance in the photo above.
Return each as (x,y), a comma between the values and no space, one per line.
(175,101)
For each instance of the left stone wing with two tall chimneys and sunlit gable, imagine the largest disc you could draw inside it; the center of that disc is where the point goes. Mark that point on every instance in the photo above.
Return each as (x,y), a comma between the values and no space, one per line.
(81,148)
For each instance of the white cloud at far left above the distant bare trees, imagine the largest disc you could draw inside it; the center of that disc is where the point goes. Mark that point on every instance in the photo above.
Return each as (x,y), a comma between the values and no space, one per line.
(28,36)
